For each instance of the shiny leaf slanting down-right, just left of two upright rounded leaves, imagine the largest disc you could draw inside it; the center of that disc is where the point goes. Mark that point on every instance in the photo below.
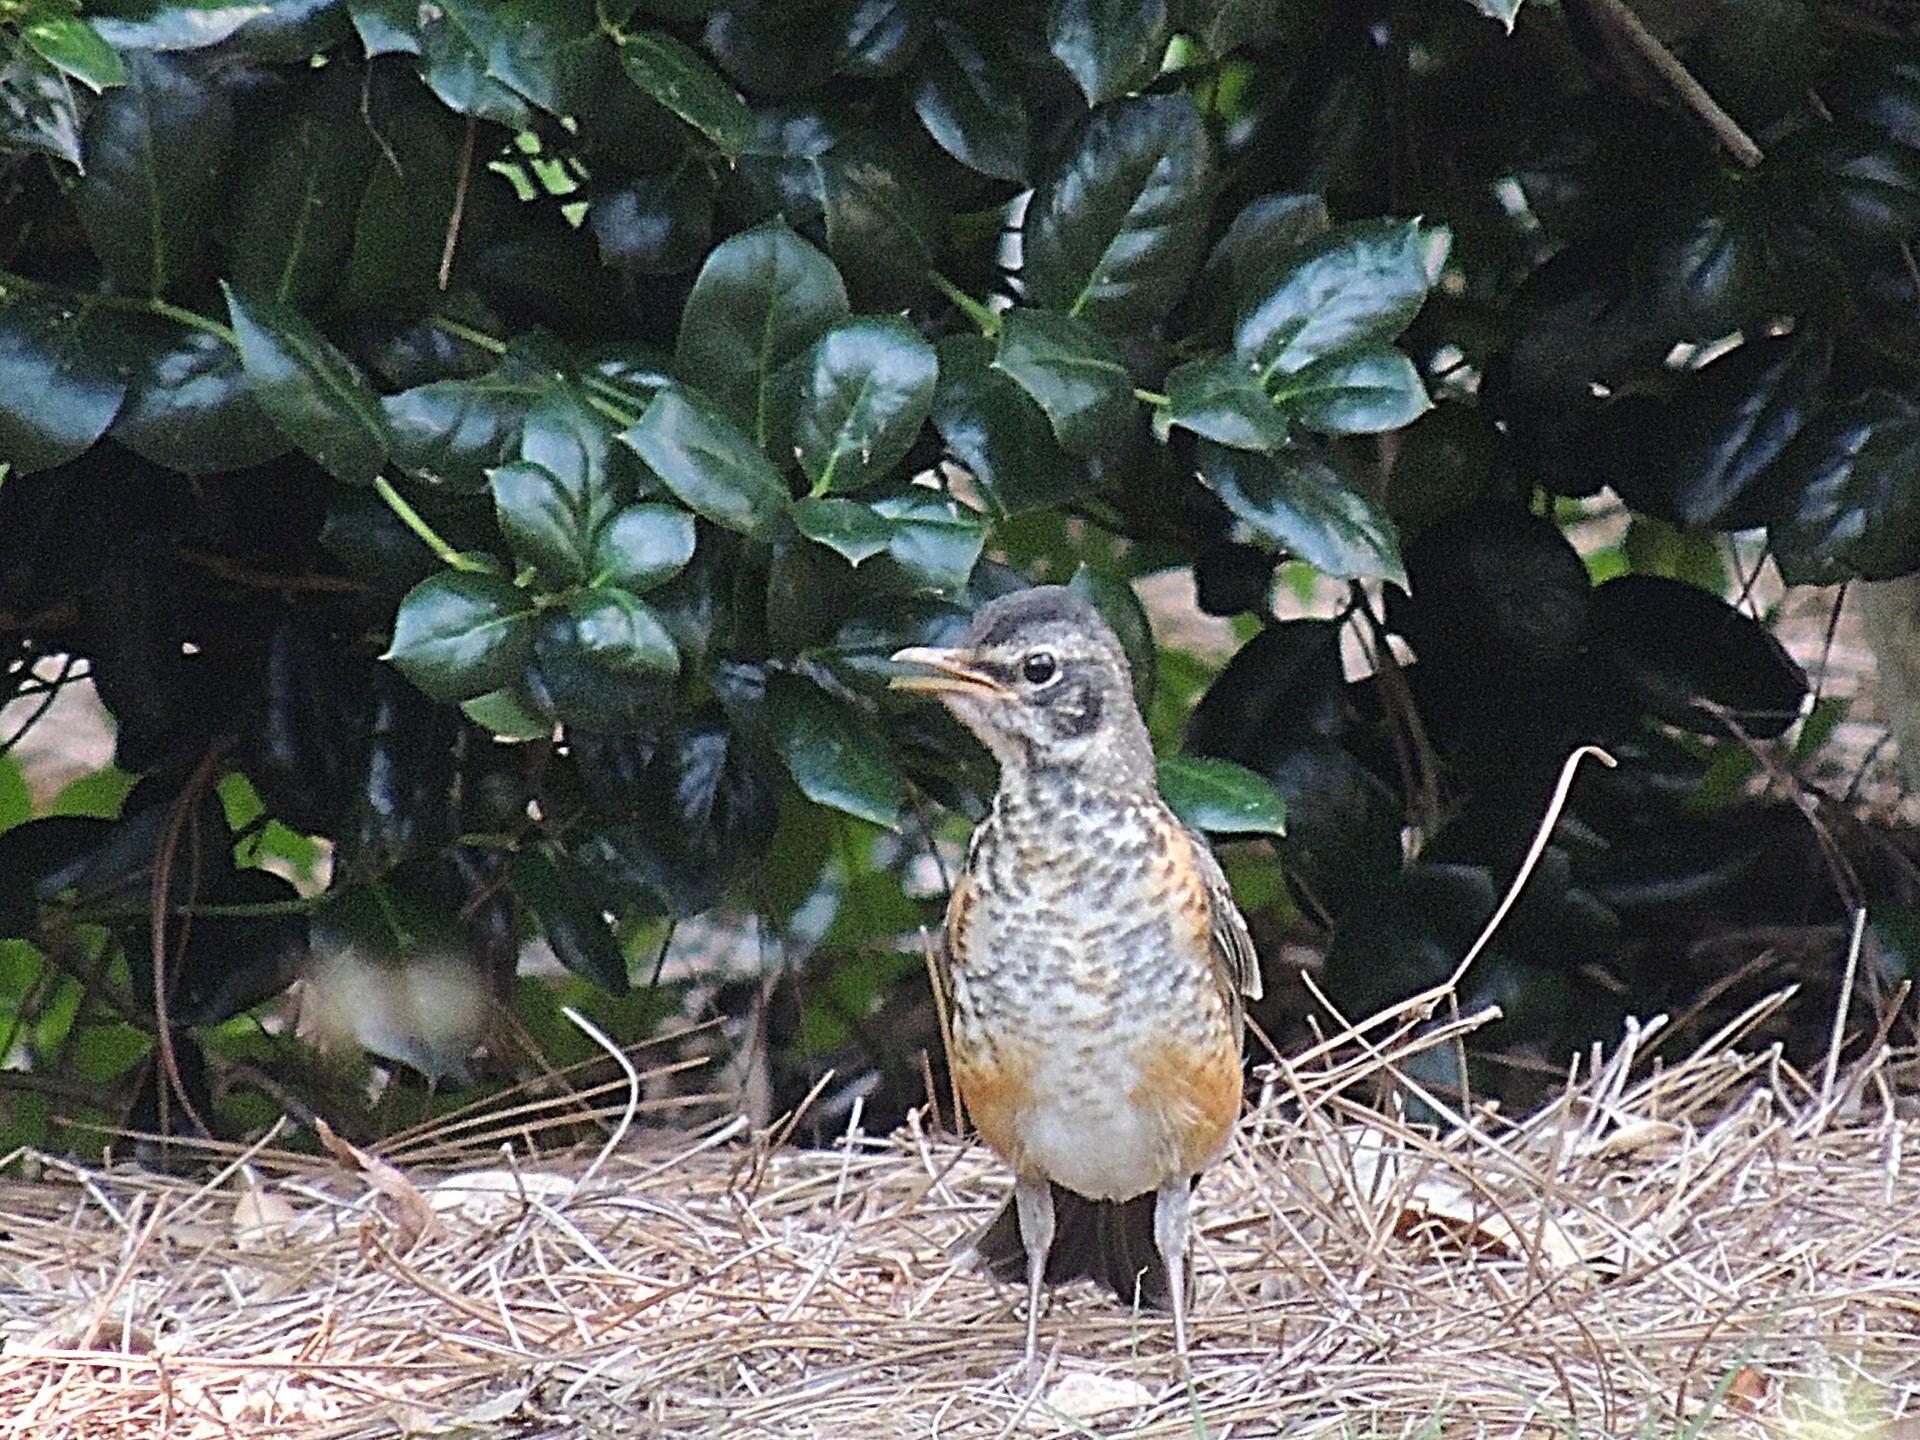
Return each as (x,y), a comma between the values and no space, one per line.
(709,464)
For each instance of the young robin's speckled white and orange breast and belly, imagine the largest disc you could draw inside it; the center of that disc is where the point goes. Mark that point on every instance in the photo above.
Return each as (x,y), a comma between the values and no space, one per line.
(1092,1036)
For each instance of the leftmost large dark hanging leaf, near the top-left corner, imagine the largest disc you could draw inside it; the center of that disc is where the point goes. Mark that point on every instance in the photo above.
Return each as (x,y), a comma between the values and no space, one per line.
(156,156)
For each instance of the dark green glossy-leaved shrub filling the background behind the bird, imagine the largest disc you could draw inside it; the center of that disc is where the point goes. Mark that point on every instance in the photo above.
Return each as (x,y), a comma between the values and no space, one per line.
(483,454)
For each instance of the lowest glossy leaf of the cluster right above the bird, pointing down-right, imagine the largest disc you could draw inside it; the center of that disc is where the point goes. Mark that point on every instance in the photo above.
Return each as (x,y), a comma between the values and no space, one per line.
(1297,502)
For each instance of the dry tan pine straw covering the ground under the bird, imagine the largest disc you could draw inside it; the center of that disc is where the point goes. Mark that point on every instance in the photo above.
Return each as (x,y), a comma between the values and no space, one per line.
(1712,1247)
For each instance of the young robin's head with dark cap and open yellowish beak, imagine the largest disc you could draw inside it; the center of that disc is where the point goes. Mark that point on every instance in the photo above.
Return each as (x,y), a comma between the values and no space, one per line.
(1044,683)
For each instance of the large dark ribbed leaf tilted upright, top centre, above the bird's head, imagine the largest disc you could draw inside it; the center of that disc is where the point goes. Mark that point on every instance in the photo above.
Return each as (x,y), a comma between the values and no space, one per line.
(1116,228)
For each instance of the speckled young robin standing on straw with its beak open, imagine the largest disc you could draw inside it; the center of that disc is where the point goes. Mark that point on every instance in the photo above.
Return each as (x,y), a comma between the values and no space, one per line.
(1093,961)
